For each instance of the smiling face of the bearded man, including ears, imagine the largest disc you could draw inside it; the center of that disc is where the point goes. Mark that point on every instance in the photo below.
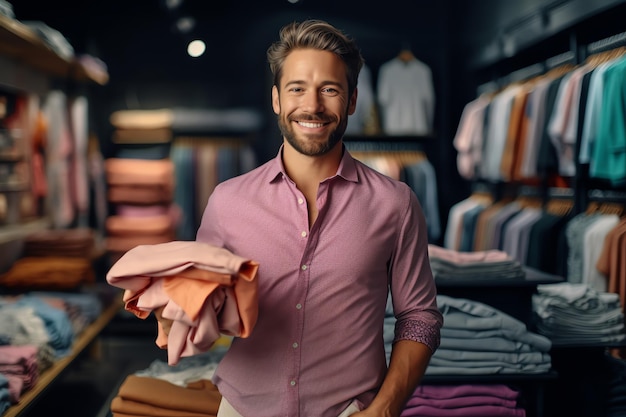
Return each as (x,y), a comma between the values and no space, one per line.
(313,103)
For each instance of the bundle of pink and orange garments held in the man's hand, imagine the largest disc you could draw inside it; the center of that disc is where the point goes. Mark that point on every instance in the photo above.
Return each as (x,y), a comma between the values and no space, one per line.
(205,290)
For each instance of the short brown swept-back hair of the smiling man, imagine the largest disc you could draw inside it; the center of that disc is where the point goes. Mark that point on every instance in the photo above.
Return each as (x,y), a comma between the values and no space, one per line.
(315,34)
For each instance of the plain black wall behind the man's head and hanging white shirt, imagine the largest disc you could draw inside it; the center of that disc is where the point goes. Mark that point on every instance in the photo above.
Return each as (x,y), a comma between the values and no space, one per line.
(148,66)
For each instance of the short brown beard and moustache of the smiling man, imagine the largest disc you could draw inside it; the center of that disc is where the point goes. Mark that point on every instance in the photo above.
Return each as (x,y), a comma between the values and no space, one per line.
(312,145)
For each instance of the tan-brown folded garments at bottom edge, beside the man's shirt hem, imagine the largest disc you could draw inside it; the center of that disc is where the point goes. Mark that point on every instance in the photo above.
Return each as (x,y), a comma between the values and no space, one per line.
(200,397)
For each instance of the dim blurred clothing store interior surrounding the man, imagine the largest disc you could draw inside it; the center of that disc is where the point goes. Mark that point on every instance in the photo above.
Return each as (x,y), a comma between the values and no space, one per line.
(119,118)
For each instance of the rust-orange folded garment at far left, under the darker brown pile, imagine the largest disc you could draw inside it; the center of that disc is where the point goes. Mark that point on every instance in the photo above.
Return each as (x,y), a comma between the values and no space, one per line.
(48,272)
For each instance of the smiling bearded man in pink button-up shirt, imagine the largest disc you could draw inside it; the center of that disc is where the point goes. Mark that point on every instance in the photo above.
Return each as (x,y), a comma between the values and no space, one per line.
(332,238)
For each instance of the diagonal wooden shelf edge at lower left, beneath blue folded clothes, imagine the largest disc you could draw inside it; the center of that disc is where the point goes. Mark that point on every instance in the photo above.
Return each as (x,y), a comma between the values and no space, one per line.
(80,344)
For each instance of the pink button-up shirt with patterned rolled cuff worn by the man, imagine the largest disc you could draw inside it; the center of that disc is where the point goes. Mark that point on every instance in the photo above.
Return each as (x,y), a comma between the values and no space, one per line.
(318,341)
